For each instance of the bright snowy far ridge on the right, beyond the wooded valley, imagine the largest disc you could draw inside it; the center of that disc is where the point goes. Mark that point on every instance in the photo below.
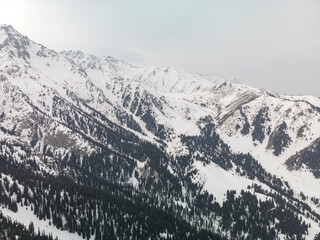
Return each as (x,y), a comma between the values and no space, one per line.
(193,96)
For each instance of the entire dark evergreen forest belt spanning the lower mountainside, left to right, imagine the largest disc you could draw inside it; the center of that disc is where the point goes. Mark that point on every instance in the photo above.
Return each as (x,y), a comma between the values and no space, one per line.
(93,206)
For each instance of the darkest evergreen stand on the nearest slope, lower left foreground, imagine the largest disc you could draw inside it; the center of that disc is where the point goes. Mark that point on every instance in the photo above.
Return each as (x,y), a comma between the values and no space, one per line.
(87,210)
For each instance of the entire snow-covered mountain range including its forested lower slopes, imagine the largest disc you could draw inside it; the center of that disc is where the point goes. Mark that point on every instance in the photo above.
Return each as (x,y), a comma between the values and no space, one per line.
(213,153)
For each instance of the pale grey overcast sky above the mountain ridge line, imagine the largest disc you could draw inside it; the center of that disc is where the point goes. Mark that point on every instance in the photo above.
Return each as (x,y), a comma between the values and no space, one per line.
(271,44)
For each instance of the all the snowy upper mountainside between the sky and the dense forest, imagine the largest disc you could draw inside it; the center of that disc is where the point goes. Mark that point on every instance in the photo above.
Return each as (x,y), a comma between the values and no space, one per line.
(73,102)
